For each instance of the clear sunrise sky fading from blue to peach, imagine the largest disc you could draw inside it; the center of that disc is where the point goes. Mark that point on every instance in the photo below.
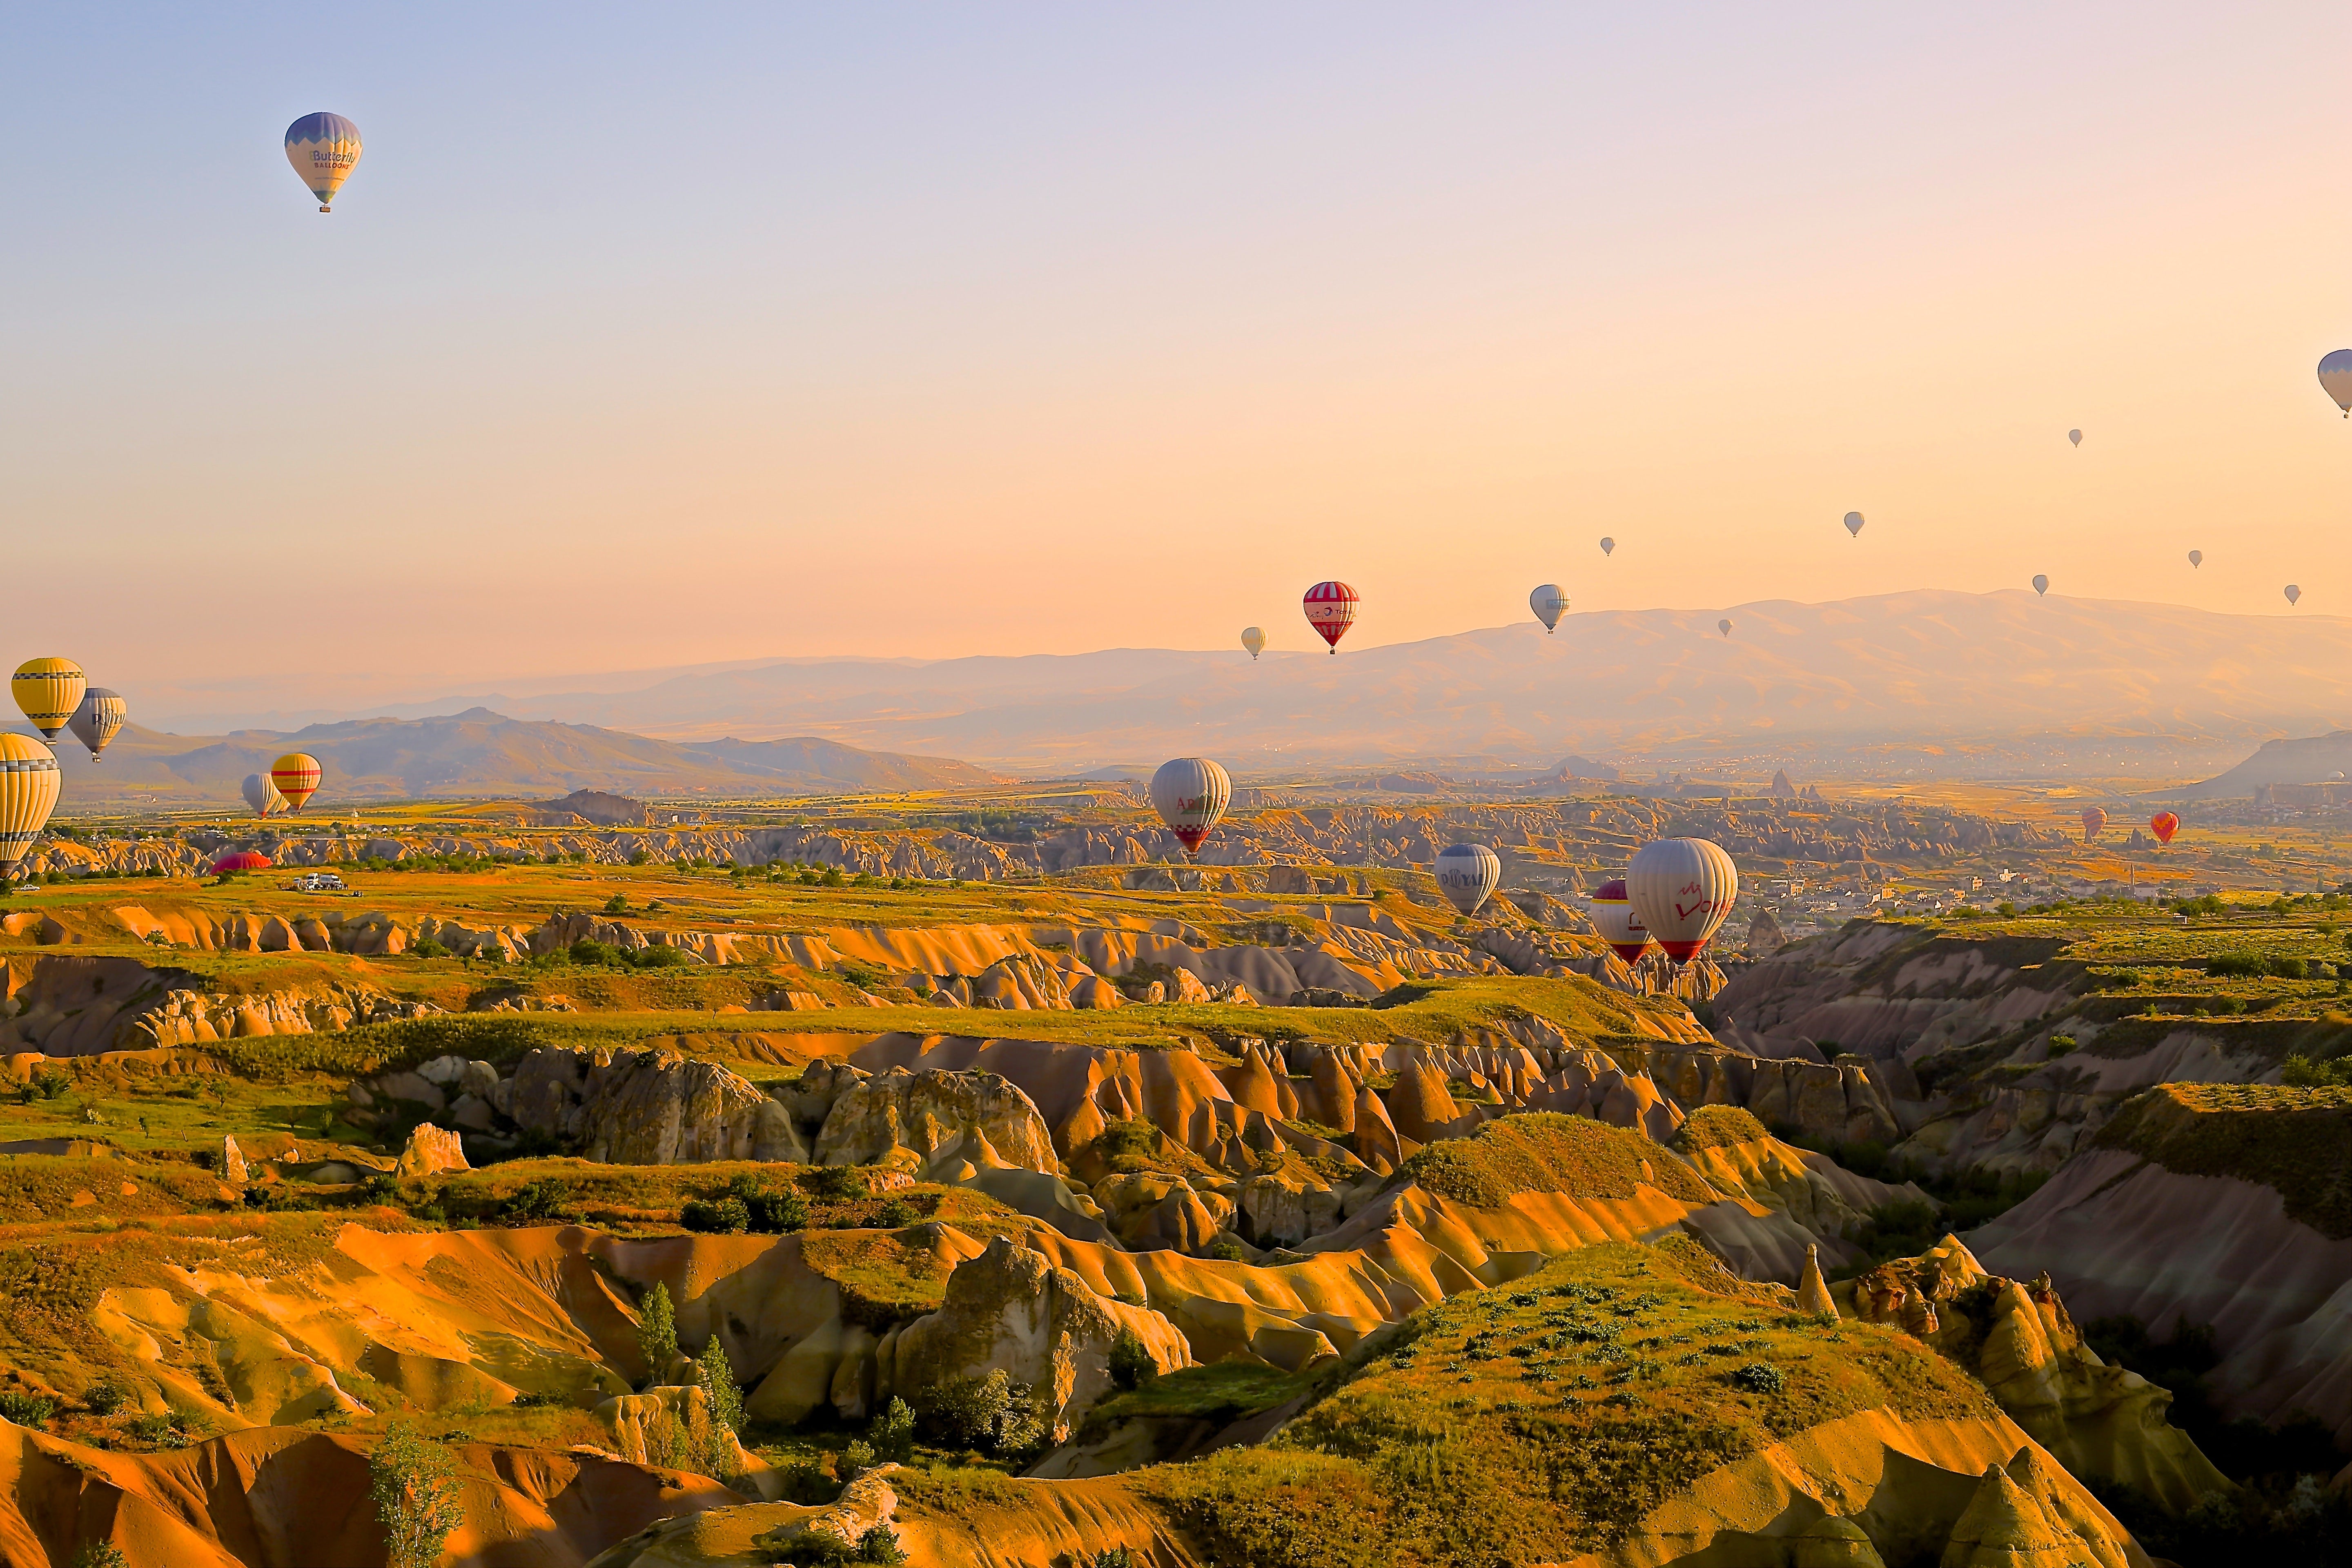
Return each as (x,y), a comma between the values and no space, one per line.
(676,335)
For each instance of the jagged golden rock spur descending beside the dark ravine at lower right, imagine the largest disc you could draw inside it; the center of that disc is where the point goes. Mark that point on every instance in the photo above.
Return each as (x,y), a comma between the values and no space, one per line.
(2022,1343)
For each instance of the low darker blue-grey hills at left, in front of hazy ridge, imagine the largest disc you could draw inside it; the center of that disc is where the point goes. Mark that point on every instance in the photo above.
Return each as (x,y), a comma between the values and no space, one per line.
(481,753)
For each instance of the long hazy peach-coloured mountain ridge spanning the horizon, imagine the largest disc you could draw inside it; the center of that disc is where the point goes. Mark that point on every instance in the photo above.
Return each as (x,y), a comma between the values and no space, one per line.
(1939,669)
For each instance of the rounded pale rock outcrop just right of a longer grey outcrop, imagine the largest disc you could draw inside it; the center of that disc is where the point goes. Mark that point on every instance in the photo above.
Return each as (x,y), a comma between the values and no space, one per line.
(947,1125)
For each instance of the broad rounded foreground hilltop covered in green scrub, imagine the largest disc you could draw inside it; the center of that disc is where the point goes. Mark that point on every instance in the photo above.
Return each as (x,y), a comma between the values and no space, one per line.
(1542,1421)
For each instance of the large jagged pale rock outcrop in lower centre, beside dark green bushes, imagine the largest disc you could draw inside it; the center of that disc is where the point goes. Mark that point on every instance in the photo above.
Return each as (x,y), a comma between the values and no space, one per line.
(1015,1311)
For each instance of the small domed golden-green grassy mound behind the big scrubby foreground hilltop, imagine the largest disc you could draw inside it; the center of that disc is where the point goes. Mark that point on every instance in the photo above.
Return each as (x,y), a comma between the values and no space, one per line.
(1546,1153)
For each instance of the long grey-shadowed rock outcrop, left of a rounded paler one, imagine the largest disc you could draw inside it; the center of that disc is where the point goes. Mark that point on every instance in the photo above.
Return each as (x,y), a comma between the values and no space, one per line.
(648,1108)
